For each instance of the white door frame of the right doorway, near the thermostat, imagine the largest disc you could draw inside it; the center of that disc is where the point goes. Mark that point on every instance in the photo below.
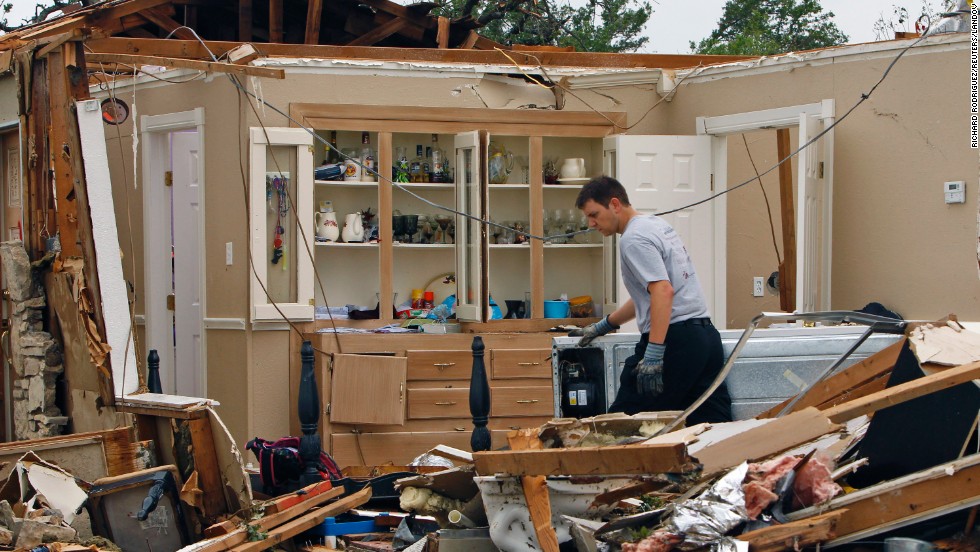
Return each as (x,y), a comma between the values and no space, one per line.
(719,127)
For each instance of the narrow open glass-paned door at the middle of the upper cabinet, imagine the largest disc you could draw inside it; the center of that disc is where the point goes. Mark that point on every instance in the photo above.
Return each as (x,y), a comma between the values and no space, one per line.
(470,234)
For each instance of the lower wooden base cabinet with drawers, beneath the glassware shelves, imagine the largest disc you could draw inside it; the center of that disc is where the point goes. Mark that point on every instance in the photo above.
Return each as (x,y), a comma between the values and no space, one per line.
(411,392)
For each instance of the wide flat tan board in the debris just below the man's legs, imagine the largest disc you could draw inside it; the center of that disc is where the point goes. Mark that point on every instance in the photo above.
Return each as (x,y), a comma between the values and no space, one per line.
(763,440)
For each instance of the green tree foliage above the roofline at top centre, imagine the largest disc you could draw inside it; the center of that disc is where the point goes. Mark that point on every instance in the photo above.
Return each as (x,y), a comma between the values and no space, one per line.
(597,26)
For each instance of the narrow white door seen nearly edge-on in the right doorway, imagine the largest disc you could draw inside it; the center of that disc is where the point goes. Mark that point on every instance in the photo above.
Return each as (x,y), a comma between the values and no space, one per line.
(812,212)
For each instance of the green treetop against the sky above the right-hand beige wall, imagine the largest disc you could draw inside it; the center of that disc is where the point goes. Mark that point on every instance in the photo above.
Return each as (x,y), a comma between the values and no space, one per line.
(765,27)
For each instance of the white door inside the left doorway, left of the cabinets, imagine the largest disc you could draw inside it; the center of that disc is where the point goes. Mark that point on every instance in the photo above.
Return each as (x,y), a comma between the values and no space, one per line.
(187,236)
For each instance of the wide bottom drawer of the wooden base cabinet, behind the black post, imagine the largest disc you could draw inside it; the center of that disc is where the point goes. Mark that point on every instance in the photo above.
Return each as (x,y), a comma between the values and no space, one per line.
(376,449)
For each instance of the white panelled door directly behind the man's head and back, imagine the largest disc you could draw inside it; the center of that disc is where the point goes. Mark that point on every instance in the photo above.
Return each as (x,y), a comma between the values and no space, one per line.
(663,173)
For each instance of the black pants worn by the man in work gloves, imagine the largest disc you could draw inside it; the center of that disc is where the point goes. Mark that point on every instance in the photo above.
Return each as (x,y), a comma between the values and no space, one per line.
(692,360)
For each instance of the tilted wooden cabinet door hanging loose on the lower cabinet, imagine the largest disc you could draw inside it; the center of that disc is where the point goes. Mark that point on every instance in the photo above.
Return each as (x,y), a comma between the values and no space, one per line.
(368,389)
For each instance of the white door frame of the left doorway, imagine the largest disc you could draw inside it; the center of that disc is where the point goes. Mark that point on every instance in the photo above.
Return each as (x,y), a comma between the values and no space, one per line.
(155,136)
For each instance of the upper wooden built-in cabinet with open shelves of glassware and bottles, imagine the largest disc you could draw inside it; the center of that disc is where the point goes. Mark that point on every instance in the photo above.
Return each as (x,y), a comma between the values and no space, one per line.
(486,262)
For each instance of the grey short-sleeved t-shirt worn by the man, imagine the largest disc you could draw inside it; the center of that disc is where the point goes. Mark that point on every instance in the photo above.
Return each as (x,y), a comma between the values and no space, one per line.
(650,250)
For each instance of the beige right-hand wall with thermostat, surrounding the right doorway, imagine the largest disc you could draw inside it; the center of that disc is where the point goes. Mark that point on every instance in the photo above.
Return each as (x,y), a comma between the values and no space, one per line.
(895,241)
